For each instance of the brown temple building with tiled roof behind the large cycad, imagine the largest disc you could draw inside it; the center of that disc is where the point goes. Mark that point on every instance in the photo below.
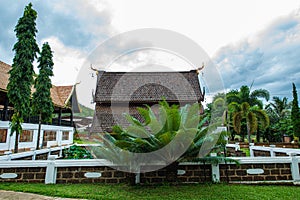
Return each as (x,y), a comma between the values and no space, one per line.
(122,92)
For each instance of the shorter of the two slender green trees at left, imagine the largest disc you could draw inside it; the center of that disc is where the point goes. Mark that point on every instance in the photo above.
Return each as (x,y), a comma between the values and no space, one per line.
(41,101)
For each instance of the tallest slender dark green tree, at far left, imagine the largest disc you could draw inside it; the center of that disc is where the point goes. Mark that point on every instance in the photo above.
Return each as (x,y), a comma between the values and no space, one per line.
(21,74)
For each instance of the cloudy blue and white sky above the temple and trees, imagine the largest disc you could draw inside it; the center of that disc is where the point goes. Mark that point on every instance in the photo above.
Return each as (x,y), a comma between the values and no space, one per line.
(247,41)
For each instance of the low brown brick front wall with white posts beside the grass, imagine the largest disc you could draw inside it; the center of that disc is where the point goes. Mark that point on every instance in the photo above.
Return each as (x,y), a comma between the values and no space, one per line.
(250,170)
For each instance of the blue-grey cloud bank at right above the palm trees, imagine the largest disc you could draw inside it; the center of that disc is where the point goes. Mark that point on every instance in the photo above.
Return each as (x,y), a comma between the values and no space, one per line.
(270,58)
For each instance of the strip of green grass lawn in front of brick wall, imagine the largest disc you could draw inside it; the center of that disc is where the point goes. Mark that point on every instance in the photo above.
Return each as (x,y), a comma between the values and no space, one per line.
(195,191)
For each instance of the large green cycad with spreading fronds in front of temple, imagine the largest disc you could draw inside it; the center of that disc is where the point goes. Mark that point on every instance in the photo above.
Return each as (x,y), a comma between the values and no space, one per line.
(171,135)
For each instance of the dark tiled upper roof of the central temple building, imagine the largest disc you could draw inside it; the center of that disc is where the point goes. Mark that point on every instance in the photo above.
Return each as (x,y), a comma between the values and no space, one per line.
(148,87)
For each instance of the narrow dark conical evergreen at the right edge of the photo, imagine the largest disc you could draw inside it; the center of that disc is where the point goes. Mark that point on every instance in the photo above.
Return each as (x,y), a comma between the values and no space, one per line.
(295,114)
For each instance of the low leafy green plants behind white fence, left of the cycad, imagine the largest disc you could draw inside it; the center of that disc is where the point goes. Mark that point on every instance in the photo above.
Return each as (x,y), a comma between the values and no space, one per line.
(77,152)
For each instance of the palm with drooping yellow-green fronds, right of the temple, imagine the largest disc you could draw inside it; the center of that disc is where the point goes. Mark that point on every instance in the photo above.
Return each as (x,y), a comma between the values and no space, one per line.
(251,115)
